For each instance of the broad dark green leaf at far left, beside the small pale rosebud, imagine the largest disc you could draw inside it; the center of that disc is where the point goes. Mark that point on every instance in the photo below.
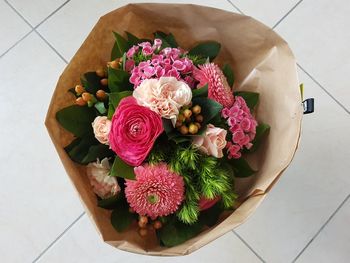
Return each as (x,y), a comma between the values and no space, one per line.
(76,119)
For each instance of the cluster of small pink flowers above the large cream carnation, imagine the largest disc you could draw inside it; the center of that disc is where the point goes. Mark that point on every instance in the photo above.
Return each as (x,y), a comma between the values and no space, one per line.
(169,62)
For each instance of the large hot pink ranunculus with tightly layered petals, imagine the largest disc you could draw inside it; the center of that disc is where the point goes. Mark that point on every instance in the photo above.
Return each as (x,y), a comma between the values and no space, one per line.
(134,131)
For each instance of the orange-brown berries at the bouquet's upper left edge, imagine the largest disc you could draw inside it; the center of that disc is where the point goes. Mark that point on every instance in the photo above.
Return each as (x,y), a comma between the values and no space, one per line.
(86,98)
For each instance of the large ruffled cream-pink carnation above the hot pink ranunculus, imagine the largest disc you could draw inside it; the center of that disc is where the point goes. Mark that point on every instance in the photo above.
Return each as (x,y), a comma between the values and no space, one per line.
(164,96)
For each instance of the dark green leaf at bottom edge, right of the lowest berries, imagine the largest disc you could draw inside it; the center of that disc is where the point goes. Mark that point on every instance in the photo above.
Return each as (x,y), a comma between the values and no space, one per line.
(175,232)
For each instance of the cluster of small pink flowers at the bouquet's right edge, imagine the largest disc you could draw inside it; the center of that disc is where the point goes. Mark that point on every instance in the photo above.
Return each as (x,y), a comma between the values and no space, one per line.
(242,126)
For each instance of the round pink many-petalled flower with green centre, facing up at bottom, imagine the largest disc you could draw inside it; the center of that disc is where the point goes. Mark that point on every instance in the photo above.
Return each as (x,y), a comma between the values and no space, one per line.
(156,191)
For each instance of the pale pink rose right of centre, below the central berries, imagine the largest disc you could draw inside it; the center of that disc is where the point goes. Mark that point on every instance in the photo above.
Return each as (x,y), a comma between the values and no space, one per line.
(212,142)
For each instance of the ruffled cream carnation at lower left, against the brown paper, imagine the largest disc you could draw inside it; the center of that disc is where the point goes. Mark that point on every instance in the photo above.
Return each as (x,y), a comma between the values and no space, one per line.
(103,185)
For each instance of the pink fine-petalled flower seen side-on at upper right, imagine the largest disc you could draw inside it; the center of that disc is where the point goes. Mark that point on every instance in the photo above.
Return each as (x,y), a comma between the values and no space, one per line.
(218,88)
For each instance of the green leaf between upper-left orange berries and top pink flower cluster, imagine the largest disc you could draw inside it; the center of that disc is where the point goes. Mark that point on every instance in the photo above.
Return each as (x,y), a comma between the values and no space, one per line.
(118,80)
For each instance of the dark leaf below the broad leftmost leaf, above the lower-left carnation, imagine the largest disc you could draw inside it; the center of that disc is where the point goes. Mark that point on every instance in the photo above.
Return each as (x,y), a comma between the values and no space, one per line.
(79,148)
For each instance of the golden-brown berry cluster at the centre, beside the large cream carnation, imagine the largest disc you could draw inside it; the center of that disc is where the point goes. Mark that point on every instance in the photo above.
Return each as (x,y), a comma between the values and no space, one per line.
(189,120)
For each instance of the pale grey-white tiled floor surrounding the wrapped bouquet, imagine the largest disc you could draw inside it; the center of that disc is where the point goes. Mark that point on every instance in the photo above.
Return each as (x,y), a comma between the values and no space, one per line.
(304,219)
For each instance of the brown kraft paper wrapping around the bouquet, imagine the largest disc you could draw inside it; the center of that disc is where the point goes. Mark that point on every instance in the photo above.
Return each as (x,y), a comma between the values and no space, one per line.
(262,62)
